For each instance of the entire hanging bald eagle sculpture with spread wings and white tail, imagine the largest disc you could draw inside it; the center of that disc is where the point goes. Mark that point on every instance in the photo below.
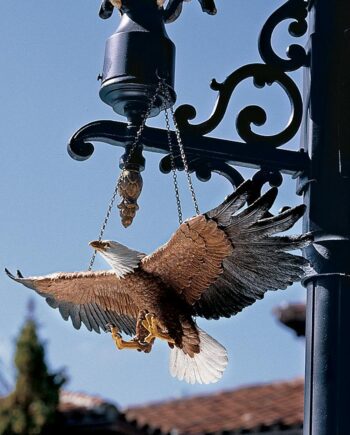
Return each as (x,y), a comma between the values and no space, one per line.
(213,266)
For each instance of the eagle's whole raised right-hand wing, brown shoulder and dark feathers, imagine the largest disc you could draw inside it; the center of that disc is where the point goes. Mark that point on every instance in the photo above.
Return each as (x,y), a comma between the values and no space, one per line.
(222,262)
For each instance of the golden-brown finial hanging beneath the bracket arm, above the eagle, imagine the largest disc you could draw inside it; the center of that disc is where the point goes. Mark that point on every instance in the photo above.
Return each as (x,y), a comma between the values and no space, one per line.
(129,189)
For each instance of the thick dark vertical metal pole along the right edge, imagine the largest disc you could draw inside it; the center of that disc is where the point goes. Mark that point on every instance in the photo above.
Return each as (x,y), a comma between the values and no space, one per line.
(327,194)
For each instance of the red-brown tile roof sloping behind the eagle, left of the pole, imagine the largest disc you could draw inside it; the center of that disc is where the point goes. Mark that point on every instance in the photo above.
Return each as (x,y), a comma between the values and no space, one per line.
(277,404)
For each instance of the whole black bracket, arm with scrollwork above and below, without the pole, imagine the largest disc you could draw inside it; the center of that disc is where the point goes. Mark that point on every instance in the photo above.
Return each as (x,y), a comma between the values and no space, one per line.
(208,154)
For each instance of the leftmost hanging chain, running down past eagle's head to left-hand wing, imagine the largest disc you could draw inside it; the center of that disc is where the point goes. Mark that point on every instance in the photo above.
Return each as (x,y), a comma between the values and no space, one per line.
(127,160)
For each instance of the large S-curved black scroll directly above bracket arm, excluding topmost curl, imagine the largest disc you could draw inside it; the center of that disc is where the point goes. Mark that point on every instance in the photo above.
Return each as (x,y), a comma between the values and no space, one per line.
(262,75)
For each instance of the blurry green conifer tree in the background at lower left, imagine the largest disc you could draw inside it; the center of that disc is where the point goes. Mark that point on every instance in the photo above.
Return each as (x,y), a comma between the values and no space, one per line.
(32,407)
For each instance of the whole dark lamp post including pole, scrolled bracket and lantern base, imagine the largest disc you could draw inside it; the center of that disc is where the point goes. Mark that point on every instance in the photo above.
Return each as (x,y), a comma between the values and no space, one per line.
(322,164)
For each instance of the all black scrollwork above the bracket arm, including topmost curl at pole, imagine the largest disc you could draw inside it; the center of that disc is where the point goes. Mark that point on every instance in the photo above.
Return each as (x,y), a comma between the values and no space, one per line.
(263,74)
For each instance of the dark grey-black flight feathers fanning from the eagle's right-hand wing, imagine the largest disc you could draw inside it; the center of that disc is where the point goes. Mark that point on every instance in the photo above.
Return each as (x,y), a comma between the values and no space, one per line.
(259,261)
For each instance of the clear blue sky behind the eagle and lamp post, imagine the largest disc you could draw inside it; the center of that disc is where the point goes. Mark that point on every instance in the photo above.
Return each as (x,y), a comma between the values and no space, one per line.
(52,206)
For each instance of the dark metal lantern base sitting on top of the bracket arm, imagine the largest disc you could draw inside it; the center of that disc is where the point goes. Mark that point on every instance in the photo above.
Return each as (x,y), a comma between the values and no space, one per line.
(136,55)
